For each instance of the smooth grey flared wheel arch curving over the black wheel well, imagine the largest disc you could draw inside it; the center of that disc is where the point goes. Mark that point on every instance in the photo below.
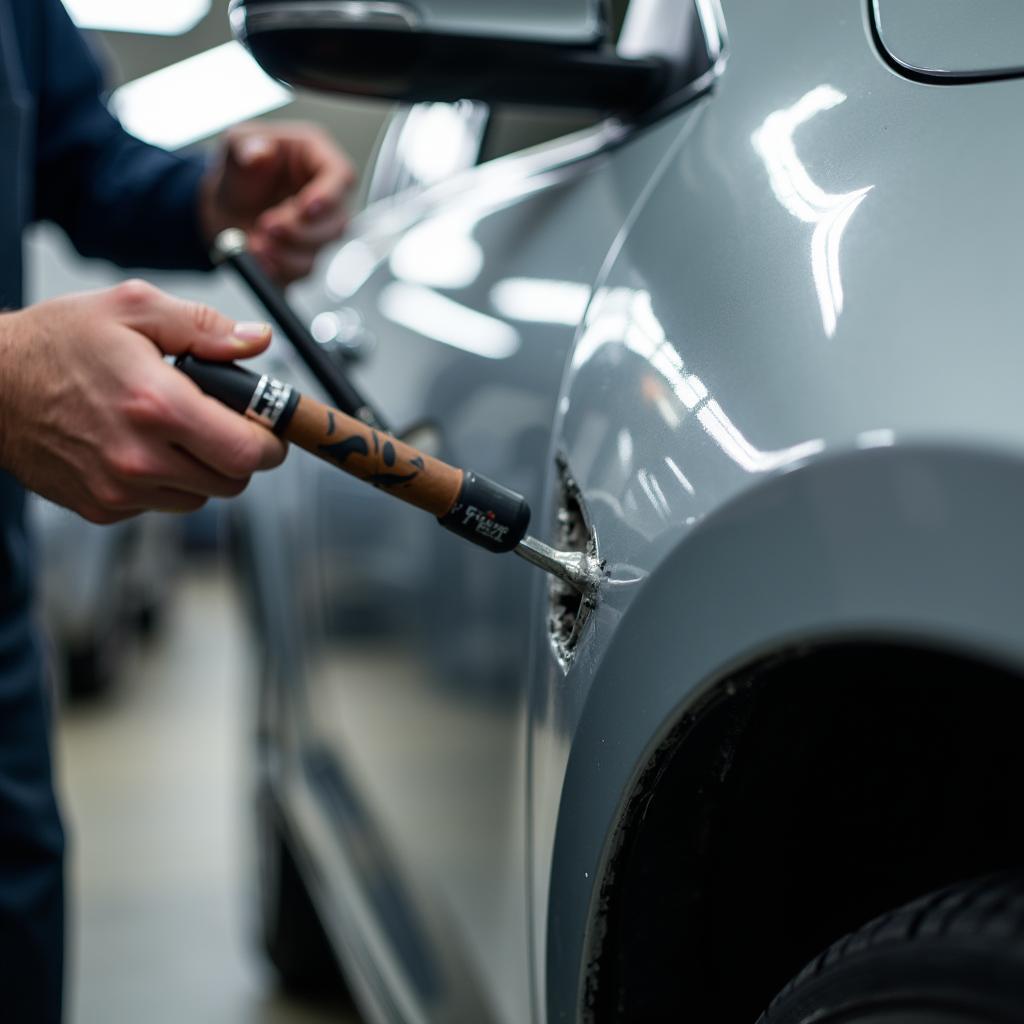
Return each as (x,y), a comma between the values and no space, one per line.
(908,551)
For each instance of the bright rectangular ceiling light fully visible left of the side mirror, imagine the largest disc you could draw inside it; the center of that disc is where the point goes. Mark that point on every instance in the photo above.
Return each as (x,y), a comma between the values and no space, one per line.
(198,98)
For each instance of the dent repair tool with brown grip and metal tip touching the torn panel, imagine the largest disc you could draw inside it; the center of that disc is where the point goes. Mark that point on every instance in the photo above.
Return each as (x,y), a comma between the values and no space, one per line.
(474,507)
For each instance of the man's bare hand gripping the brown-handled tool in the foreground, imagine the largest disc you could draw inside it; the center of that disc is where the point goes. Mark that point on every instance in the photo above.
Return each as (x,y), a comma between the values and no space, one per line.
(93,418)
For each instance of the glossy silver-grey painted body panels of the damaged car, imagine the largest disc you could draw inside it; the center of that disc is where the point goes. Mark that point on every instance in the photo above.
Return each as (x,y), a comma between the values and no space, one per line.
(774,333)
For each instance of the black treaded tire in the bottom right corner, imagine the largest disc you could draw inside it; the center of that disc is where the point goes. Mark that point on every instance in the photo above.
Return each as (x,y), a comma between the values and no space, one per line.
(956,957)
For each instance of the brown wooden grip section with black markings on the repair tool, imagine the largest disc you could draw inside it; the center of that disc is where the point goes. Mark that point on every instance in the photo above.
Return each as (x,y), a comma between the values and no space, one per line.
(374,457)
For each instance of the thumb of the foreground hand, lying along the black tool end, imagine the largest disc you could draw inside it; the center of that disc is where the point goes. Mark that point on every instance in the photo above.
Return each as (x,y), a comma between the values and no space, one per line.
(178,326)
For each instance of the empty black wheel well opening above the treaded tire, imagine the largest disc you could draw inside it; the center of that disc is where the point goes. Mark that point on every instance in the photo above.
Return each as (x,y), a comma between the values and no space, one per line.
(808,795)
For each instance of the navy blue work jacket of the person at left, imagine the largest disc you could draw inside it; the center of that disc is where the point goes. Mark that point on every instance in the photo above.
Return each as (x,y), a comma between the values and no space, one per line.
(64,158)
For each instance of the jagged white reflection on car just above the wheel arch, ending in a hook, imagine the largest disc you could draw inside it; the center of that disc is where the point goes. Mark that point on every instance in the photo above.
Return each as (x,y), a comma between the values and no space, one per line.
(625,317)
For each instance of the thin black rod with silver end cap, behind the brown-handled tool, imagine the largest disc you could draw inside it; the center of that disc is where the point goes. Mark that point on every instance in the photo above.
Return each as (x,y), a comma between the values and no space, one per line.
(231,248)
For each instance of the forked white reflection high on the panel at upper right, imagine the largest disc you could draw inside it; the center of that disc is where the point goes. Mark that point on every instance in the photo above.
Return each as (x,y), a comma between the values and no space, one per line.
(829,212)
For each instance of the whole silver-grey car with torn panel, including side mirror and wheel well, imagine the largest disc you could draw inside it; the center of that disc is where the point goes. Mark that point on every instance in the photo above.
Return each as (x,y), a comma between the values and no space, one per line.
(757,343)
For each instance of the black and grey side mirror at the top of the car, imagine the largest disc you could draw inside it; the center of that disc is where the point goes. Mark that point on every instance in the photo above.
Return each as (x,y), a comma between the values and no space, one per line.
(537,53)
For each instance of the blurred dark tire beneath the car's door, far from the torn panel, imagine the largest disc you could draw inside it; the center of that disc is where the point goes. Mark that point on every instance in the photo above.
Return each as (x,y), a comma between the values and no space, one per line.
(292,934)
